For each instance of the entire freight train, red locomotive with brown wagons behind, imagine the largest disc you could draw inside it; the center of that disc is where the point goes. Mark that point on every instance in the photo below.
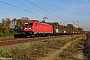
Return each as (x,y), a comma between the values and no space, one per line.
(35,28)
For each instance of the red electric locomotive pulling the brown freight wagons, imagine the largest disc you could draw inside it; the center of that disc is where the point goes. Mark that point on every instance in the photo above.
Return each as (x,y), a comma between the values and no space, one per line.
(34,27)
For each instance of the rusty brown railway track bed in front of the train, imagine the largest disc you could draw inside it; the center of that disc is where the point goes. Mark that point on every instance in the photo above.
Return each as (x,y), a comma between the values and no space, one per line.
(5,42)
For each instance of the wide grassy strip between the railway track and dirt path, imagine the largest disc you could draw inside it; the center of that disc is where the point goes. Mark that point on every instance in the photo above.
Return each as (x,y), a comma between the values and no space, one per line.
(32,51)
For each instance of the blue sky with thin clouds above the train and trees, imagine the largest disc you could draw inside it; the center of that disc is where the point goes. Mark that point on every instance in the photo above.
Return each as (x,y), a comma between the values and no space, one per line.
(65,11)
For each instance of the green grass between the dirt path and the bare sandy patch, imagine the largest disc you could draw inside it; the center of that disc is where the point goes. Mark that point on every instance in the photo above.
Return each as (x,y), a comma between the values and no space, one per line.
(70,52)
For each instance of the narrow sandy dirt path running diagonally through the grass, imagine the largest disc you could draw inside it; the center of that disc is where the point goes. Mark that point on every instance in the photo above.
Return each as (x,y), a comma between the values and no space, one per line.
(55,53)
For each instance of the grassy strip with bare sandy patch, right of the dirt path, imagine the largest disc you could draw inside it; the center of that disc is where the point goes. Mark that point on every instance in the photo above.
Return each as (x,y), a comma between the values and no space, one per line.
(74,52)
